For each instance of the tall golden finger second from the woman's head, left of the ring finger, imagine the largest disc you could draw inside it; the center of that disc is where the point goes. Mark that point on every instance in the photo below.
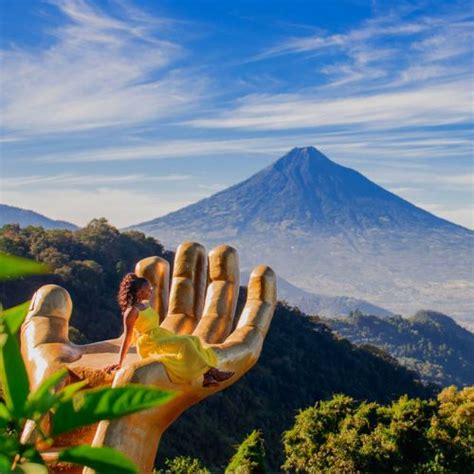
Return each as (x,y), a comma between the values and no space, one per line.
(188,288)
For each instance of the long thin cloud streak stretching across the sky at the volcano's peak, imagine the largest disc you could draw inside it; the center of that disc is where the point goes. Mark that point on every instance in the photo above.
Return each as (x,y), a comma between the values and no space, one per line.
(369,147)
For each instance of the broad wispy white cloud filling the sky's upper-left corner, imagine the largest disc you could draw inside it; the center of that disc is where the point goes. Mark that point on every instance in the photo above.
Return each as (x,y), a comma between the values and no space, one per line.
(99,71)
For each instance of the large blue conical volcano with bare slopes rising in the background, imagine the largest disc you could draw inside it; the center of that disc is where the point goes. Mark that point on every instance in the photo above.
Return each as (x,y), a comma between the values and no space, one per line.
(329,230)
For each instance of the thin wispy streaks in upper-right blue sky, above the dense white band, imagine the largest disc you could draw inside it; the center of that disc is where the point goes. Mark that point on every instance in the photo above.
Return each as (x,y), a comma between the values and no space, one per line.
(387,51)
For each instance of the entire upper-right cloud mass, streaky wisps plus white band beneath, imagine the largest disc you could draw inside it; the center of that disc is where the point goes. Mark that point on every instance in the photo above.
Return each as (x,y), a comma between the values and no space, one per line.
(389,73)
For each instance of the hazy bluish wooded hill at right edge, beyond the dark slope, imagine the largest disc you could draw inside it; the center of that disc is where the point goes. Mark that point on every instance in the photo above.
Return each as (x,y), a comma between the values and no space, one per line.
(430,343)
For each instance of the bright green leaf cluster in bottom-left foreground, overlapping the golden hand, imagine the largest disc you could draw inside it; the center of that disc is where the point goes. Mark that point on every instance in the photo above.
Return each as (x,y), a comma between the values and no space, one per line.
(69,407)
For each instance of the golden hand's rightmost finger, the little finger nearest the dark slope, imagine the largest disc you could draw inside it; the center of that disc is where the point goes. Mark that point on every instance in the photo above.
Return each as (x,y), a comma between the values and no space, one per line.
(242,348)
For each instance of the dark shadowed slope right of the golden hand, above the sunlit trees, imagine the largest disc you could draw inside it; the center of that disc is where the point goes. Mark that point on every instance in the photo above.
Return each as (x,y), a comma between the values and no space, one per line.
(300,363)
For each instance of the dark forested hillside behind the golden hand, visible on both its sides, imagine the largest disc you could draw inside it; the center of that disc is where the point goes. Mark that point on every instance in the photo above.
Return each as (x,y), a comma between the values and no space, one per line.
(301,362)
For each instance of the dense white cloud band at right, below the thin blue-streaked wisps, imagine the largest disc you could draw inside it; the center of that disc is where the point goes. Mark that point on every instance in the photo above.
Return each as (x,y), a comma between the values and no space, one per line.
(423,106)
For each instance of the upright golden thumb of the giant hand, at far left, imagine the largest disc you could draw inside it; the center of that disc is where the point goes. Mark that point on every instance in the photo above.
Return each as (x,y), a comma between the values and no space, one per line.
(44,334)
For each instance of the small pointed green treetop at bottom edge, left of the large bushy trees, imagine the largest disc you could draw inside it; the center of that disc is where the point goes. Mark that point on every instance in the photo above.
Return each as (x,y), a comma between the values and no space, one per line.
(250,456)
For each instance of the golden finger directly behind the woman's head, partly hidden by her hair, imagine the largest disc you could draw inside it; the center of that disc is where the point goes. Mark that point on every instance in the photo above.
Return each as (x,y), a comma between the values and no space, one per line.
(157,271)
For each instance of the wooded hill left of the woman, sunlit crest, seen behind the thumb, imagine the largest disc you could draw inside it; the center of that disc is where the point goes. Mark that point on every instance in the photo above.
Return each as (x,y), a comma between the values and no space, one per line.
(89,263)
